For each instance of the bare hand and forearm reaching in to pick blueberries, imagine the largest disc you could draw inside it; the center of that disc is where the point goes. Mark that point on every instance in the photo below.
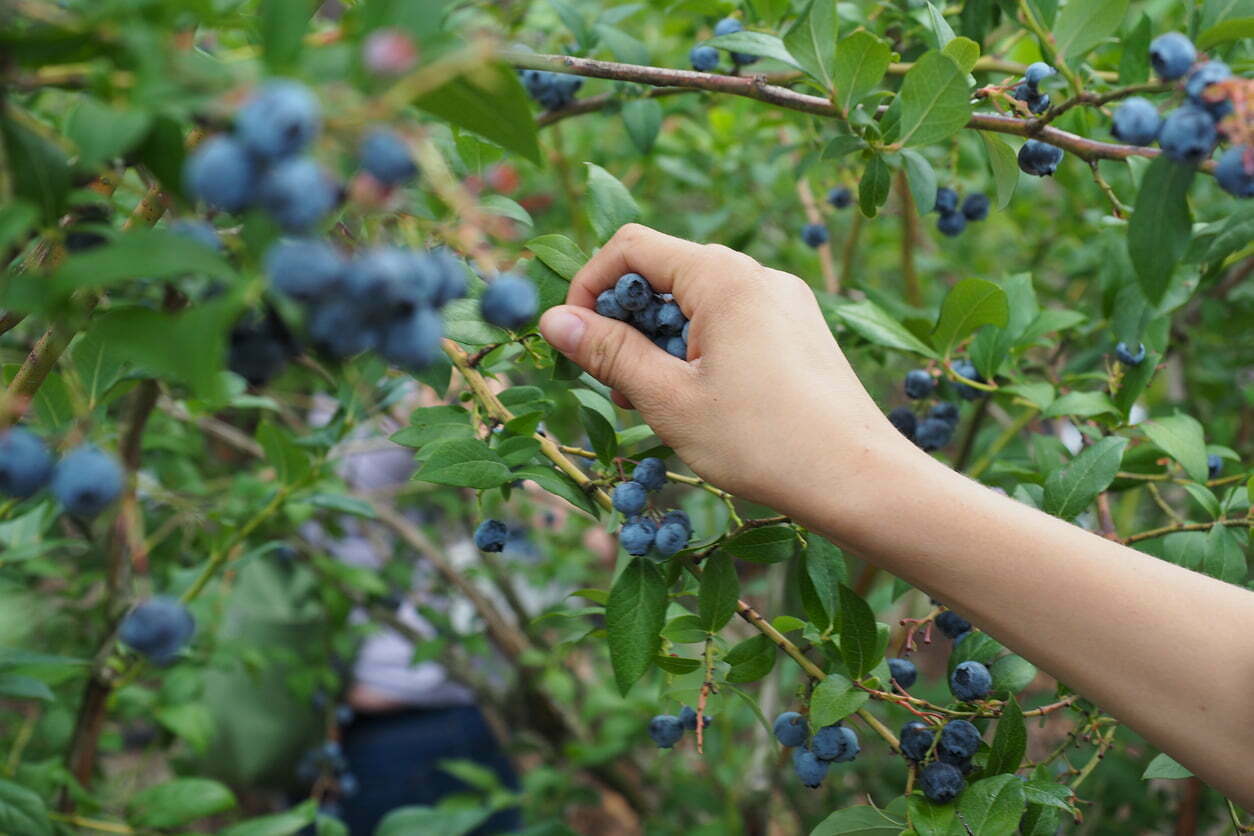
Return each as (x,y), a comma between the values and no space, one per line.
(771,410)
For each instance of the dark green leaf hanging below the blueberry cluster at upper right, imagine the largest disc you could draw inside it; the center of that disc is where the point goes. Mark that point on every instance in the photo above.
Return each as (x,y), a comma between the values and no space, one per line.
(1158,234)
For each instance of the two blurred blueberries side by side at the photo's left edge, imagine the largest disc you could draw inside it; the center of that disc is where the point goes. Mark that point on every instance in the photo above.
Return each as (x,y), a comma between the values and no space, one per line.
(86,481)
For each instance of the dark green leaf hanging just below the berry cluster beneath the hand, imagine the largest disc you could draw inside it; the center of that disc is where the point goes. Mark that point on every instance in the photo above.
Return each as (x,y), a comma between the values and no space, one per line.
(635,616)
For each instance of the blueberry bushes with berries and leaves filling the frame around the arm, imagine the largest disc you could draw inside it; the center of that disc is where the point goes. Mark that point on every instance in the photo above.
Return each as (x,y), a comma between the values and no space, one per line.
(241,236)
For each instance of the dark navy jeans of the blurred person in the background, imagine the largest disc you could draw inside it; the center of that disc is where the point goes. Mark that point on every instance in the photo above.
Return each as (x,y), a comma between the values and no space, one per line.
(396,759)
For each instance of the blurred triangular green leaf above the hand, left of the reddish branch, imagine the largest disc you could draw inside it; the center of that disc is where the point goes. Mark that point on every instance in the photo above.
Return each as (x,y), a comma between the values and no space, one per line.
(492,103)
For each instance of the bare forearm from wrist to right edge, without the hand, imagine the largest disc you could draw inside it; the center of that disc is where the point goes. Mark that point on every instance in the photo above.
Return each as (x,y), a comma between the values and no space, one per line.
(1120,627)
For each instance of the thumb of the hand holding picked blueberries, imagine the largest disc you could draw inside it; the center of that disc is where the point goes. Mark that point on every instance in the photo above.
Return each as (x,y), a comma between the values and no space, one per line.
(614,353)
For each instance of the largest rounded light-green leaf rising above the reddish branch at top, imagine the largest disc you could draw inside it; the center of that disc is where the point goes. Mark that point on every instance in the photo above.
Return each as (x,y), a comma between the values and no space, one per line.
(936,101)
